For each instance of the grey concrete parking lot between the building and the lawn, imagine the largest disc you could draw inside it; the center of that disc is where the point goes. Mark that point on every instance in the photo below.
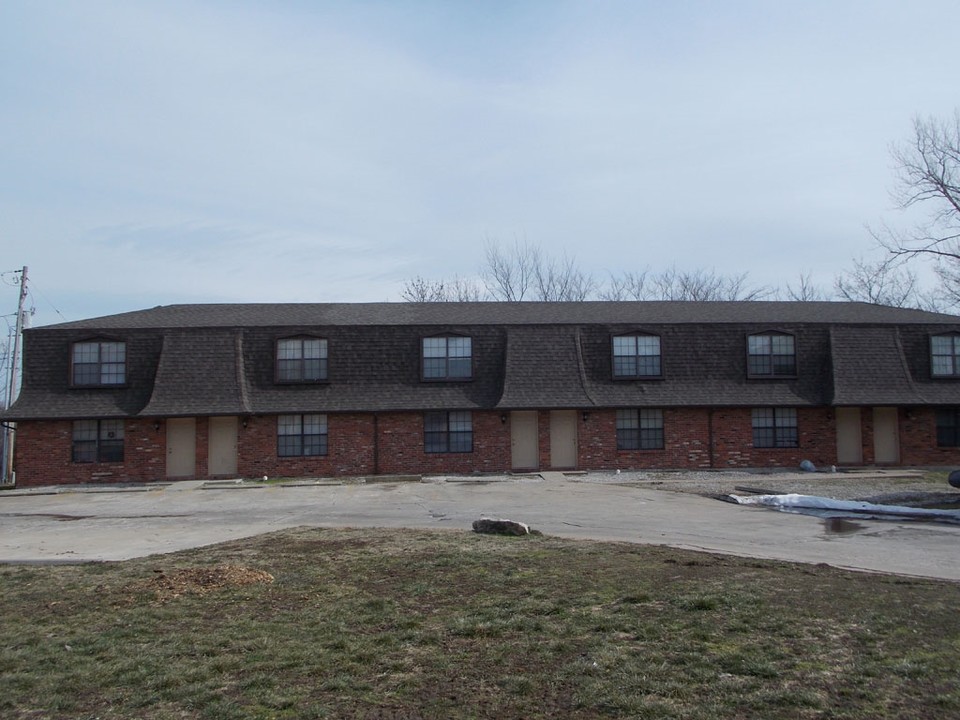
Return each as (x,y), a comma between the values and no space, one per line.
(114,525)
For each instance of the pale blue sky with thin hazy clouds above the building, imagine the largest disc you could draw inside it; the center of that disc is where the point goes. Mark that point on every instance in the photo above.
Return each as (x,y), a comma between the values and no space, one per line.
(304,151)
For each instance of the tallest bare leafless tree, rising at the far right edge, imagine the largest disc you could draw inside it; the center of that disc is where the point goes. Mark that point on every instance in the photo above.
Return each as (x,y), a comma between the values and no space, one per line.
(929,179)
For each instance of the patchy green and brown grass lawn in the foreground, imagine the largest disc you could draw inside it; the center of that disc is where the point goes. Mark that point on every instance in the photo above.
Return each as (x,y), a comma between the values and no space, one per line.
(395,624)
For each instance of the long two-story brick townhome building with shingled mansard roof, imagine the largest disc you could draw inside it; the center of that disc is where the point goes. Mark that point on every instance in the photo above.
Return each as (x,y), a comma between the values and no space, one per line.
(198,391)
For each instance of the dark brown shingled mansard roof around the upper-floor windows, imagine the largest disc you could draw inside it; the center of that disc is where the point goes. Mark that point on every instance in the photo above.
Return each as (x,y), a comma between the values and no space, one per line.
(205,360)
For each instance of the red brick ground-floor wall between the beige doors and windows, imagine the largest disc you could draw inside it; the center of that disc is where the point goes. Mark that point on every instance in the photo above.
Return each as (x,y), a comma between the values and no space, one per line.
(393,443)
